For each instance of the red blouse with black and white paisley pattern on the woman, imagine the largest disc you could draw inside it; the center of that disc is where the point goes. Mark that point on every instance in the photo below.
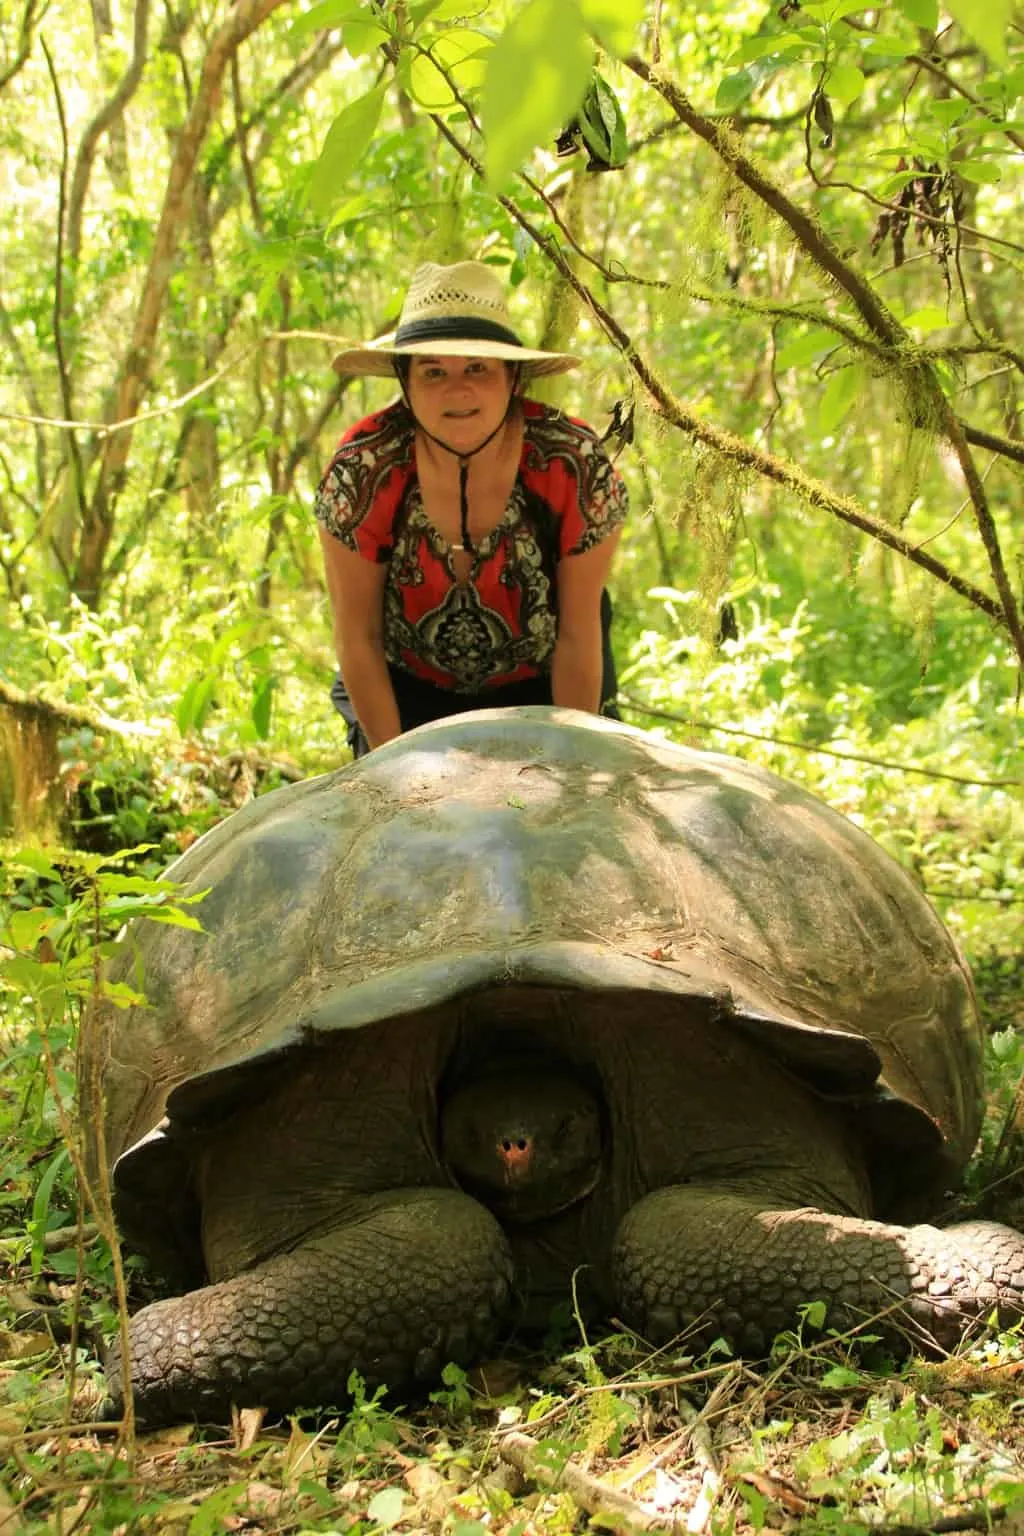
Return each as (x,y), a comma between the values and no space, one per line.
(501,624)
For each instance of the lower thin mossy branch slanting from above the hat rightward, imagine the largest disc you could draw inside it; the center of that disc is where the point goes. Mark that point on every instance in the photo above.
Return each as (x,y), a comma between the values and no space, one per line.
(782,472)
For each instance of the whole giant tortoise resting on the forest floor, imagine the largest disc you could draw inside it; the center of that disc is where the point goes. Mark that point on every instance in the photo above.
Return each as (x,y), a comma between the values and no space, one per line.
(527,999)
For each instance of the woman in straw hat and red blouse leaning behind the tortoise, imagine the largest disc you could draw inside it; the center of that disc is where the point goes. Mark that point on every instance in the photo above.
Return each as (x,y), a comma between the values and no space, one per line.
(467,532)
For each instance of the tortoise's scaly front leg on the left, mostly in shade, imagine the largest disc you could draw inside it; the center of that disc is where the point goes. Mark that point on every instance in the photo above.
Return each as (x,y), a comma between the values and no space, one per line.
(412,1280)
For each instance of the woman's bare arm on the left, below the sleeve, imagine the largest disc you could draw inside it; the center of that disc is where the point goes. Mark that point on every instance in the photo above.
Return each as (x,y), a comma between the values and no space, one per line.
(357,598)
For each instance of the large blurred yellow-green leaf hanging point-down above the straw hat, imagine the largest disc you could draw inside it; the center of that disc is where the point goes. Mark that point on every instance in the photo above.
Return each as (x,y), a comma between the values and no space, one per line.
(537,78)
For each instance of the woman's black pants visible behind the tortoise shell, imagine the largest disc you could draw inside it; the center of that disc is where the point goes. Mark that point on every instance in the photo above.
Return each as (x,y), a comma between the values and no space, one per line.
(420,703)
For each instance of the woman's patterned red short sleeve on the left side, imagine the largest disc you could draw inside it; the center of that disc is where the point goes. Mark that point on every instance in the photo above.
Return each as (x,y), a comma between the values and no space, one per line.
(365,485)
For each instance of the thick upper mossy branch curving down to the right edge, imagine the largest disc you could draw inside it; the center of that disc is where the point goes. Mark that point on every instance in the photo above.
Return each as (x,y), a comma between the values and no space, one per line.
(876,316)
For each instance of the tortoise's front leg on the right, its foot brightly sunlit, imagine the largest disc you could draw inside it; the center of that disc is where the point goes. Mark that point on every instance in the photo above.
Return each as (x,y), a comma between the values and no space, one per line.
(690,1256)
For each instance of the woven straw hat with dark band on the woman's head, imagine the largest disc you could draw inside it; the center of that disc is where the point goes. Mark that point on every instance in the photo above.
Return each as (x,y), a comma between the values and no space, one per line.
(452,313)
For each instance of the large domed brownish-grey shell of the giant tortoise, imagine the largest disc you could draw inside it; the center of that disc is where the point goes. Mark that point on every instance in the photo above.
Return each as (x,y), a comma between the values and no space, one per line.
(547,849)
